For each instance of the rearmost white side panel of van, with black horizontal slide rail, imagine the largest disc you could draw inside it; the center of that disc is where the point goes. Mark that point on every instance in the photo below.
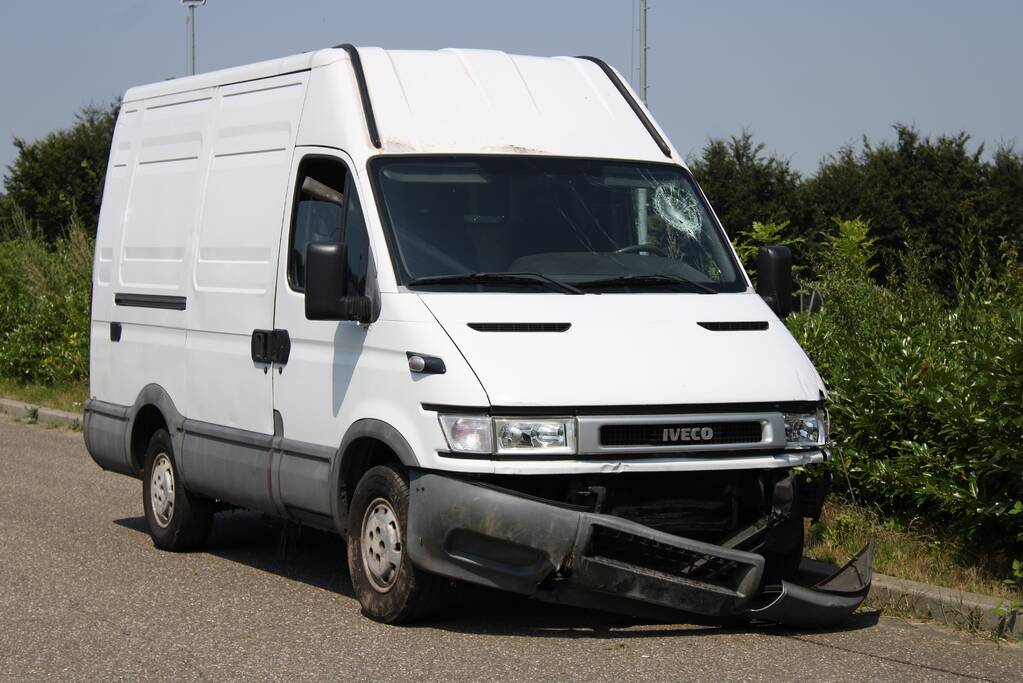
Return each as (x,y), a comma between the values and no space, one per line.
(144,248)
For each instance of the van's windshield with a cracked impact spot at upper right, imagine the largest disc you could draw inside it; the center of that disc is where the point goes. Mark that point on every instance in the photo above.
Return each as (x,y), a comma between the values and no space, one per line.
(598,225)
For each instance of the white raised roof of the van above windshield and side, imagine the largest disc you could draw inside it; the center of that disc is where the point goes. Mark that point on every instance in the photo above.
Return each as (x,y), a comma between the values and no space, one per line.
(476,102)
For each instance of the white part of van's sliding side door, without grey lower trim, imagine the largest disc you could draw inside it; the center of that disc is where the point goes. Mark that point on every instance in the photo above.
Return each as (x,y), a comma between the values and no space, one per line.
(236,259)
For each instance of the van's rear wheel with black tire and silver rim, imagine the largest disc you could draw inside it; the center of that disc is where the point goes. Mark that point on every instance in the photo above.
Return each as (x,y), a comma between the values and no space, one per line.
(186,524)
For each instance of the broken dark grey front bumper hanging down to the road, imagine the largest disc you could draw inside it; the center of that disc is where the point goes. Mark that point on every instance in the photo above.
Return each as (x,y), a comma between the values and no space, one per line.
(498,538)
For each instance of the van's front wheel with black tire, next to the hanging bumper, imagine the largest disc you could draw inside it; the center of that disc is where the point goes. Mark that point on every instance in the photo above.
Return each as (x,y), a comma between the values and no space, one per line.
(407,594)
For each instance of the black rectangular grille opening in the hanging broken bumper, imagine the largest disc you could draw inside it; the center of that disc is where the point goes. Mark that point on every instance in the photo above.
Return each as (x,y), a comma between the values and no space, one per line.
(650,555)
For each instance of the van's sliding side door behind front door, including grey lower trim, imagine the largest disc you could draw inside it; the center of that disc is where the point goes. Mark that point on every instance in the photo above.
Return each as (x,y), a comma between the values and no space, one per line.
(227,451)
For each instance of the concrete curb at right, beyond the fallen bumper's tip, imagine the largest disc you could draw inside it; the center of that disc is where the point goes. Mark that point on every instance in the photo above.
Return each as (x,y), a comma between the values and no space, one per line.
(948,606)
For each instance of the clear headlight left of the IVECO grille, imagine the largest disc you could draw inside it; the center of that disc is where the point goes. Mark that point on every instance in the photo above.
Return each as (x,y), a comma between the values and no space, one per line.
(504,436)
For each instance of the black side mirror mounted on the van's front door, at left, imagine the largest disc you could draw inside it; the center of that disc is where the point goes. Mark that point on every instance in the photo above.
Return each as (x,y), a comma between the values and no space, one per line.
(327,264)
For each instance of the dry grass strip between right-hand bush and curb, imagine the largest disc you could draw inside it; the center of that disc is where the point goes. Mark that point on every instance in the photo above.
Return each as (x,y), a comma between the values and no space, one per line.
(911,550)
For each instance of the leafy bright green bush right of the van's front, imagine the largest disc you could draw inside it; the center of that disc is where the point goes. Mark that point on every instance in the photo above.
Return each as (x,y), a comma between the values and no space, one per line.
(926,391)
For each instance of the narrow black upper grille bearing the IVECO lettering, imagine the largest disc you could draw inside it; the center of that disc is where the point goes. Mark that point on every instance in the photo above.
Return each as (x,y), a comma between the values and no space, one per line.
(750,432)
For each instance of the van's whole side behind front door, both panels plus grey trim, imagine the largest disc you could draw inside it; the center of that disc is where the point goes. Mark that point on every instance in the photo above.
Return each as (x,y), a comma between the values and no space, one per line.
(186,266)
